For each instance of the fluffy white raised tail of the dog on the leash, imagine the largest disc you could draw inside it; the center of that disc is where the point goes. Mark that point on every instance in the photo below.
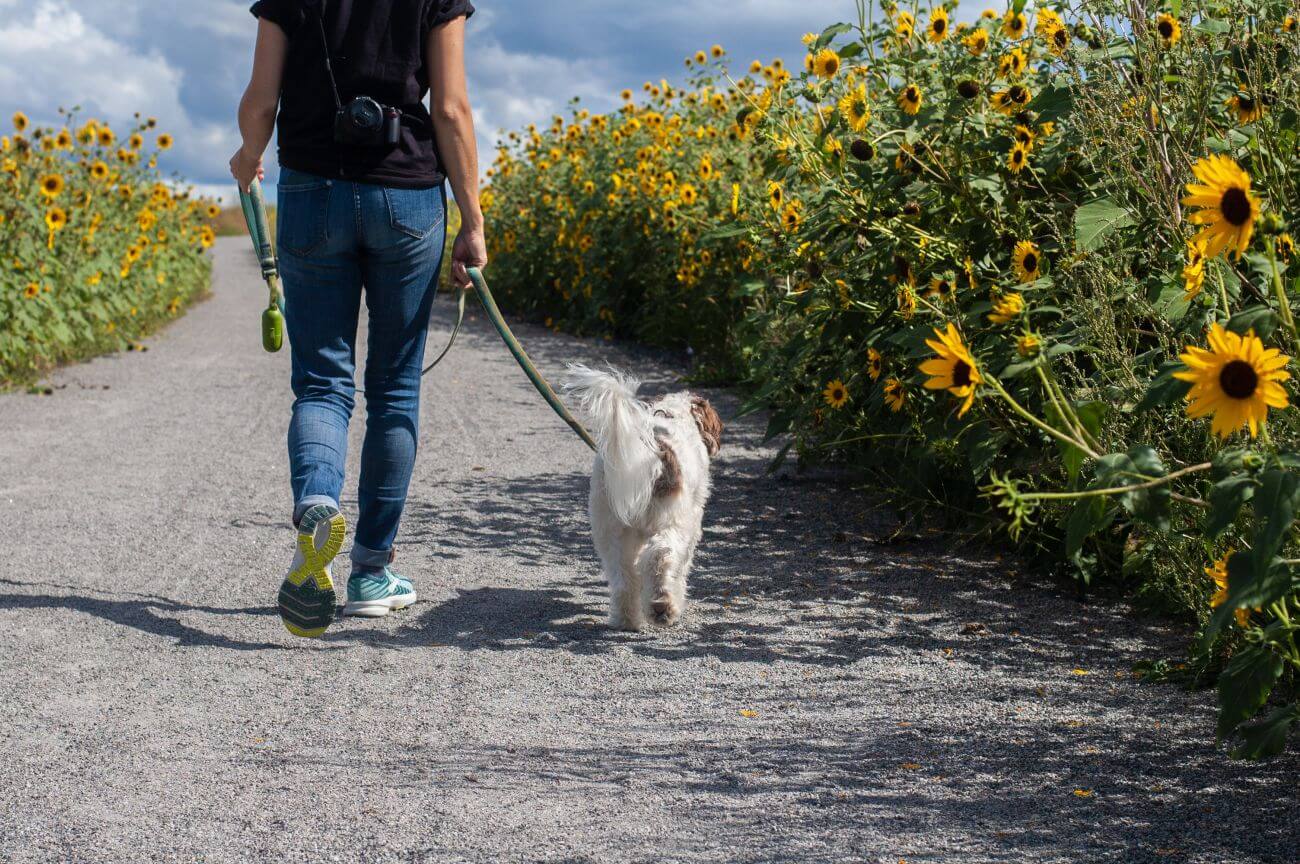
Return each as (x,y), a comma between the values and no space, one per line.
(625,435)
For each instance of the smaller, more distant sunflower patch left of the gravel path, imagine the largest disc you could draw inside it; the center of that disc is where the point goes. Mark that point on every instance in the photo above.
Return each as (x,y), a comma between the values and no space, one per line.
(98,250)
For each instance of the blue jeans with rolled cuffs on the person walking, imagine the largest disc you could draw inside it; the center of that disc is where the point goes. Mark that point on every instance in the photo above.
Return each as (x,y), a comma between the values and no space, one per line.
(335,238)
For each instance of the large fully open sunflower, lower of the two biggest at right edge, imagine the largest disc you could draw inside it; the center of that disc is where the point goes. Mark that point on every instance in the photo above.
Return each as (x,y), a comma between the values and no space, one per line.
(1237,381)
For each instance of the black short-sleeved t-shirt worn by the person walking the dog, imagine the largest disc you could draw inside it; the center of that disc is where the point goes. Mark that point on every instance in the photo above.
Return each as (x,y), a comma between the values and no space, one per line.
(379,51)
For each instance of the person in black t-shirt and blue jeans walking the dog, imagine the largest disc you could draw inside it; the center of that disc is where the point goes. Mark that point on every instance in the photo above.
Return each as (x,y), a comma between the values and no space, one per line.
(362,210)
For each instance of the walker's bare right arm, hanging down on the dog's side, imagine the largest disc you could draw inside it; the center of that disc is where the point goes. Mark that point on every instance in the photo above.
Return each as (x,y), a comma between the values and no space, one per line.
(454,128)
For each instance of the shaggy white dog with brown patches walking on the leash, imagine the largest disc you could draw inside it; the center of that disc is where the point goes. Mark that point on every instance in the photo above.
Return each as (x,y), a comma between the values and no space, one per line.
(649,489)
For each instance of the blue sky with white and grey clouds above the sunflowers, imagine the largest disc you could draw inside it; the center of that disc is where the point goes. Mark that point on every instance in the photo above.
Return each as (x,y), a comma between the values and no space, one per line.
(187,62)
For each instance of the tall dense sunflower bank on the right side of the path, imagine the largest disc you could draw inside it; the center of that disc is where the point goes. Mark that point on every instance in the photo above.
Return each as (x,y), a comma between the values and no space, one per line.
(1028,267)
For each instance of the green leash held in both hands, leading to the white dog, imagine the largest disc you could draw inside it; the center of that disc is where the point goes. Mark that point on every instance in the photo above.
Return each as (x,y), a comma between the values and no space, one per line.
(274,318)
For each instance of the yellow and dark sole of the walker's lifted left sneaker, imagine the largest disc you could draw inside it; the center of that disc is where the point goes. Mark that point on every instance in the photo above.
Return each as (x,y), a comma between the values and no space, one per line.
(307,600)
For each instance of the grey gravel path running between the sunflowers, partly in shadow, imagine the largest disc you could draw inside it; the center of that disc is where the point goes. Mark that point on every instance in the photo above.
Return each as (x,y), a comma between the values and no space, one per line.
(825,701)
